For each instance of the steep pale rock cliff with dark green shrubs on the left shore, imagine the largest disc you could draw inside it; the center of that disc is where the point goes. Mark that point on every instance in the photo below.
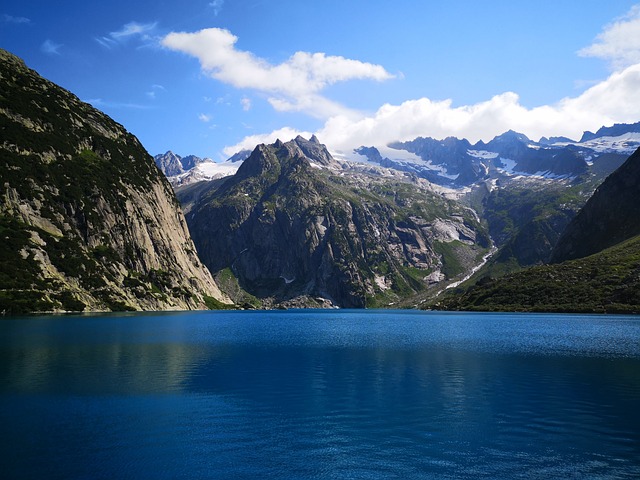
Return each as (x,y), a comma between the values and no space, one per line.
(87,221)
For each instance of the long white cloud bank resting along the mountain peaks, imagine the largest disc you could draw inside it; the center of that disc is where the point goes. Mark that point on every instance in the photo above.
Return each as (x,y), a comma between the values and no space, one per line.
(615,100)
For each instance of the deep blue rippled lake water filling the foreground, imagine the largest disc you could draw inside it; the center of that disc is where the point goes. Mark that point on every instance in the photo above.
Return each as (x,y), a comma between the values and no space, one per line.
(320,394)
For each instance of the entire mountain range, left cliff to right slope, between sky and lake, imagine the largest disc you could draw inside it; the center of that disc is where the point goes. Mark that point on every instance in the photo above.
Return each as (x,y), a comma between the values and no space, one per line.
(90,221)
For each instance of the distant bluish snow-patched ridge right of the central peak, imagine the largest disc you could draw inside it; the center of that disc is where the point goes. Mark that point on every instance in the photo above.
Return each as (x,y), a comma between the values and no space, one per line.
(456,163)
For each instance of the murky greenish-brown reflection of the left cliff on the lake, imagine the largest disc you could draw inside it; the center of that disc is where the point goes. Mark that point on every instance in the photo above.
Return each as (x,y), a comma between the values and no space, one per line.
(103,369)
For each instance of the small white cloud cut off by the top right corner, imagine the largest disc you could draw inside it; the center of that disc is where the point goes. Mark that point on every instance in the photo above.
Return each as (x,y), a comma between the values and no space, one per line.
(619,42)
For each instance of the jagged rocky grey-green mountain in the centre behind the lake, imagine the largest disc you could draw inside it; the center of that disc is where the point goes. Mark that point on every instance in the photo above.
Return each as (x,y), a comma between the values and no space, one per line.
(294,226)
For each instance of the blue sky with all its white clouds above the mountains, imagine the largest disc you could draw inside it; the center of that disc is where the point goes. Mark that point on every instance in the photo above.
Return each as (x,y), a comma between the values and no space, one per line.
(208,77)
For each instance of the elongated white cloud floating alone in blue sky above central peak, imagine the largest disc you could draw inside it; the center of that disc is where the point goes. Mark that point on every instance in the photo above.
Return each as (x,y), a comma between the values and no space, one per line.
(296,82)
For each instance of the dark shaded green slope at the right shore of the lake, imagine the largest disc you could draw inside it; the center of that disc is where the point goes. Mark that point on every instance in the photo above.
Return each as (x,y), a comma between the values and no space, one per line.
(599,251)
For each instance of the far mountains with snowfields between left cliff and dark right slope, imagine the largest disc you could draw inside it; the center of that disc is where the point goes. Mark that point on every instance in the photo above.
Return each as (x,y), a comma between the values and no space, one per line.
(517,198)
